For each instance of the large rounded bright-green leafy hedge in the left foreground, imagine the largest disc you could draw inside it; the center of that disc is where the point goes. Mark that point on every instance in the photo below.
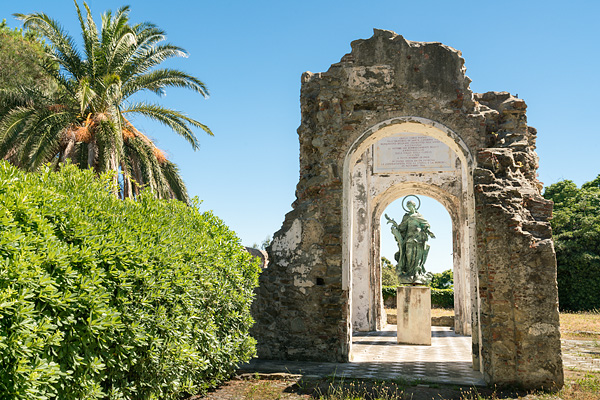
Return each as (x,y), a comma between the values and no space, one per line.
(103,298)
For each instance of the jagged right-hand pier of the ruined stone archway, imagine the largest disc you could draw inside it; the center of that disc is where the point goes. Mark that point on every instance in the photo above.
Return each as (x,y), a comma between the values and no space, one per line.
(516,259)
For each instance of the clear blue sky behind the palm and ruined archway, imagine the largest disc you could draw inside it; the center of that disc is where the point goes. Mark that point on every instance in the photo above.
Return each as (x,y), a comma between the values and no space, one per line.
(251,55)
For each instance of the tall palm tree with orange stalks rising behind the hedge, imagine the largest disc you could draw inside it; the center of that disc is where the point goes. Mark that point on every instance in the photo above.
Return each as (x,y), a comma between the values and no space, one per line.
(86,119)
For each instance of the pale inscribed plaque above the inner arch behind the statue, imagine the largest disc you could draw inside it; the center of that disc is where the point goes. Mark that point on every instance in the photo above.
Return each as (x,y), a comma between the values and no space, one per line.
(411,152)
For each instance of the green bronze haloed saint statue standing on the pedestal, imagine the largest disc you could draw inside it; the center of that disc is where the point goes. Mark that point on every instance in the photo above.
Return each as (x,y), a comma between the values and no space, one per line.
(411,235)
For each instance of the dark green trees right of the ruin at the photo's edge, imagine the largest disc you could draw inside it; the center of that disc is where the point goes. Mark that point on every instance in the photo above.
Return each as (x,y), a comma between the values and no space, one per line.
(576,233)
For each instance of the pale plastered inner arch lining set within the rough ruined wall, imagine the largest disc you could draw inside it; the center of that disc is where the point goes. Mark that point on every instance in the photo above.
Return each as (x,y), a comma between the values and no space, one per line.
(398,157)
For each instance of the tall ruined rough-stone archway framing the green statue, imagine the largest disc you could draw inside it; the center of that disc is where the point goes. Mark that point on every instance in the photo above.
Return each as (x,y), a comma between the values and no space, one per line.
(305,308)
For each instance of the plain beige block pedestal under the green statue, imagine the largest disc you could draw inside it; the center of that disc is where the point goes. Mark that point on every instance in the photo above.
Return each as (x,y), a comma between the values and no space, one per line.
(414,315)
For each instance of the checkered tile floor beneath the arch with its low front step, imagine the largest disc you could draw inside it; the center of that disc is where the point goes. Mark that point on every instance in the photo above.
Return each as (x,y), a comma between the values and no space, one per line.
(376,355)
